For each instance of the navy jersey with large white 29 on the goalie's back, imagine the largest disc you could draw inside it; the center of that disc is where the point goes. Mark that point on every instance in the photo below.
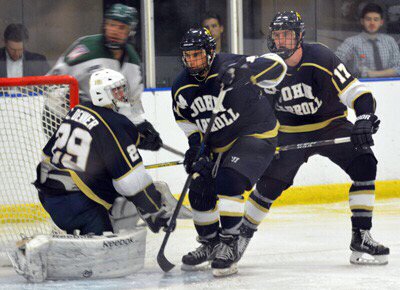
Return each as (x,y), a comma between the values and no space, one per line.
(93,146)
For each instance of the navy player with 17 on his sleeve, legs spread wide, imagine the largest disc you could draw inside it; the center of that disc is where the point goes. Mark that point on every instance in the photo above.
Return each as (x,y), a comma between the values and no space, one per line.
(311,104)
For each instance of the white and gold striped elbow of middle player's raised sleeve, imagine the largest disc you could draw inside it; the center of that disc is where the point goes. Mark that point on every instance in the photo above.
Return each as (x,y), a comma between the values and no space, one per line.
(273,74)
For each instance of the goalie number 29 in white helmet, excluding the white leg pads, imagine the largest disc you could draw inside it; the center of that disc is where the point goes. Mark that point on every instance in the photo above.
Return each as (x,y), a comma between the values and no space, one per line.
(92,159)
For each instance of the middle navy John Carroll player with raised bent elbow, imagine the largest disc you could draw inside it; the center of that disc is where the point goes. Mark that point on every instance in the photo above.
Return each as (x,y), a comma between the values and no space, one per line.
(241,144)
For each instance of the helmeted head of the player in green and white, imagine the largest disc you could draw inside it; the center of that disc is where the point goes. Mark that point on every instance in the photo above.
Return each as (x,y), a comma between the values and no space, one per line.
(124,14)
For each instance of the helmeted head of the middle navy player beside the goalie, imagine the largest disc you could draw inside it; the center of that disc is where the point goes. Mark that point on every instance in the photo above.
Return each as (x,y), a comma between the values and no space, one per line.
(198,49)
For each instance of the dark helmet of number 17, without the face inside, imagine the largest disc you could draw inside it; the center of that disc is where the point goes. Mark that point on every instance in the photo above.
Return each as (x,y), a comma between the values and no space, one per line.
(288,20)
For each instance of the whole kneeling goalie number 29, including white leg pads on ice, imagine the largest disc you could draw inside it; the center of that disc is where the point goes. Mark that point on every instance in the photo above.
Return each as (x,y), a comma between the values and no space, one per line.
(93,184)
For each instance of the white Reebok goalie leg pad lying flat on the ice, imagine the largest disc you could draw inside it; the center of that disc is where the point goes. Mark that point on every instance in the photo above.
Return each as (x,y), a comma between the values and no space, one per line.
(65,257)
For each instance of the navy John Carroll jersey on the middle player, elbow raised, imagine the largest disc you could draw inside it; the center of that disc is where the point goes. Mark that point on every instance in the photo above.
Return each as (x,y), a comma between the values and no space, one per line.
(245,110)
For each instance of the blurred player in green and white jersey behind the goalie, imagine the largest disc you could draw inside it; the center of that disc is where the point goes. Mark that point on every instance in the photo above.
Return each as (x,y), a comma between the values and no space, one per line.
(111,50)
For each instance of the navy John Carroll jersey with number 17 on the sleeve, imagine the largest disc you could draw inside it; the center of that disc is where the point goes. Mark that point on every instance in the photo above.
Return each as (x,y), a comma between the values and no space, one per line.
(315,92)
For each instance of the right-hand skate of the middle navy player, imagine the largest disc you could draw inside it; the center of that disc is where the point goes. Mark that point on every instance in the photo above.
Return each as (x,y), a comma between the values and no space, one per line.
(226,256)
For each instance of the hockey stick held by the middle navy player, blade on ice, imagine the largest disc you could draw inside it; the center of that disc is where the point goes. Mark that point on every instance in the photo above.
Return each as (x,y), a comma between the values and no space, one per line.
(162,261)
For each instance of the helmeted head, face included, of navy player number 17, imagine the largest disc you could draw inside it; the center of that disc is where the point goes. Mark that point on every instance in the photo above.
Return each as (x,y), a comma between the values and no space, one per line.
(286,33)
